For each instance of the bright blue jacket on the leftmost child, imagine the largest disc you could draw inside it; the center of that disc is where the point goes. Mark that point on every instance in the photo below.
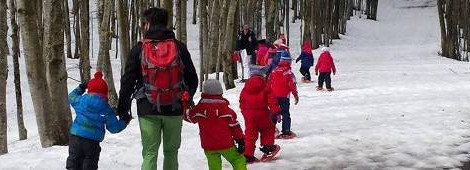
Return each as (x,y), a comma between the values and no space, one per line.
(93,113)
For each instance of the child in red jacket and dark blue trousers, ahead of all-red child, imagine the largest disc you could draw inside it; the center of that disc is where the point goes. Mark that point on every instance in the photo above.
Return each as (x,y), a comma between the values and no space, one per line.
(282,83)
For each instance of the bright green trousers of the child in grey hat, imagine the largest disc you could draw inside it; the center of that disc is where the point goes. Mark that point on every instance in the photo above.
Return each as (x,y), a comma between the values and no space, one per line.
(231,155)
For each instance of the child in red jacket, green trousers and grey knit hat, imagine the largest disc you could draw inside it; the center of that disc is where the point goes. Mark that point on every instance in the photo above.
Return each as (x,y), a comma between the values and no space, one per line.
(218,128)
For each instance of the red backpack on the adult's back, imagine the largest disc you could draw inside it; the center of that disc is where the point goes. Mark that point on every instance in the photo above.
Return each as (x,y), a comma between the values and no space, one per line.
(162,71)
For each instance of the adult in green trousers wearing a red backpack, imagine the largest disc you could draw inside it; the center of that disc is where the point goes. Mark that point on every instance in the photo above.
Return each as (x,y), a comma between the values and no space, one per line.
(159,120)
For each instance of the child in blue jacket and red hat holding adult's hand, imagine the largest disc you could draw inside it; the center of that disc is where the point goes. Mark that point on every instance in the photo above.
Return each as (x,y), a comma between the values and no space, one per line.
(93,115)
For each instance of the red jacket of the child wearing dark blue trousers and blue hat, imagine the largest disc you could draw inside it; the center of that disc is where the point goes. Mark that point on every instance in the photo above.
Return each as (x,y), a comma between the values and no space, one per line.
(282,80)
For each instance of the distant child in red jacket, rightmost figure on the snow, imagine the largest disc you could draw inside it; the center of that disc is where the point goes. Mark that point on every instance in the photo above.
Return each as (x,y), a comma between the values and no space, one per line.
(325,65)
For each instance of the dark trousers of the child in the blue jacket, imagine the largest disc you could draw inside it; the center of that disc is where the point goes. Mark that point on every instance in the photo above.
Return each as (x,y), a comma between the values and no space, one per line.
(83,153)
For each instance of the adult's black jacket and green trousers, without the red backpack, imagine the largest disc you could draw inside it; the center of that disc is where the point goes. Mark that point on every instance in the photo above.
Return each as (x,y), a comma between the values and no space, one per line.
(156,124)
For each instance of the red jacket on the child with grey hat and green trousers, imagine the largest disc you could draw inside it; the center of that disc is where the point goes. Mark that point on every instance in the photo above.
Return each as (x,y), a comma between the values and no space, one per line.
(218,125)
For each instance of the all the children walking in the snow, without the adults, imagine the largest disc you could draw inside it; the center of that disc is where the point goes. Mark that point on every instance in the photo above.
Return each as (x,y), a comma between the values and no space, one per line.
(264,102)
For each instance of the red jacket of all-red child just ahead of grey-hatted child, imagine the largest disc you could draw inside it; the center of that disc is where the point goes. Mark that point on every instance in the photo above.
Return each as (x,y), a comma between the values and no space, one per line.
(257,97)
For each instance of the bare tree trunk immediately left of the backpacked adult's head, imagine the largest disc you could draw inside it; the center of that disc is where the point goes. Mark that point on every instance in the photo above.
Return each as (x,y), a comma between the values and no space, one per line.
(123,22)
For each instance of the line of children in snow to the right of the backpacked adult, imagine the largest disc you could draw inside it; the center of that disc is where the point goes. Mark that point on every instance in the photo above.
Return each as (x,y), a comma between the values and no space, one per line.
(264,101)
